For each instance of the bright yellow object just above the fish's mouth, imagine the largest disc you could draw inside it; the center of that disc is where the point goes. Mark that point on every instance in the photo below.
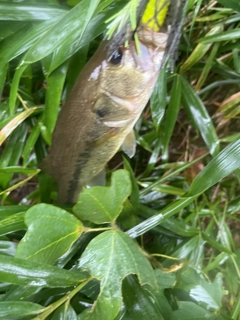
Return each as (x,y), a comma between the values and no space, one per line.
(155,13)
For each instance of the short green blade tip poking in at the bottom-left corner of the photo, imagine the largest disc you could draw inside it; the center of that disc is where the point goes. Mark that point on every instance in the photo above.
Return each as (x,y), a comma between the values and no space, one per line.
(14,309)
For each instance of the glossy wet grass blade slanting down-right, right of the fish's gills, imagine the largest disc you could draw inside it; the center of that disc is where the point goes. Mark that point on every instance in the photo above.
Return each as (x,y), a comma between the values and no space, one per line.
(199,116)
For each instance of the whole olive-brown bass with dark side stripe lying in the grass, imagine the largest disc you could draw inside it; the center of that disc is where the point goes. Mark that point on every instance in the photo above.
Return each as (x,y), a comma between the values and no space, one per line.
(99,114)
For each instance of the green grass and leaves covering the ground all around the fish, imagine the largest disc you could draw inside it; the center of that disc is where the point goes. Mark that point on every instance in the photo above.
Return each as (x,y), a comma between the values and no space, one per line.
(161,241)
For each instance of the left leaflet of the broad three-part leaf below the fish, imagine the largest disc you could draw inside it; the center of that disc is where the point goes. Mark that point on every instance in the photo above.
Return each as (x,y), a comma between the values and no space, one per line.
(51,232)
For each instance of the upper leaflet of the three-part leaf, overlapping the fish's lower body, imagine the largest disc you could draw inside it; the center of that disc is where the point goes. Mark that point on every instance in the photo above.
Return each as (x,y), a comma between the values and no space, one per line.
(104,204)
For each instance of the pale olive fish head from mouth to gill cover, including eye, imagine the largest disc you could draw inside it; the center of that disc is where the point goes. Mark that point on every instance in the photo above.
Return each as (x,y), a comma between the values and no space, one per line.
(126,76)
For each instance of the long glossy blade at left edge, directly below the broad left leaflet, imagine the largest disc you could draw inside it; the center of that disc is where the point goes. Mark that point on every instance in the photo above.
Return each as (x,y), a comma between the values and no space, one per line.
(29,273)
